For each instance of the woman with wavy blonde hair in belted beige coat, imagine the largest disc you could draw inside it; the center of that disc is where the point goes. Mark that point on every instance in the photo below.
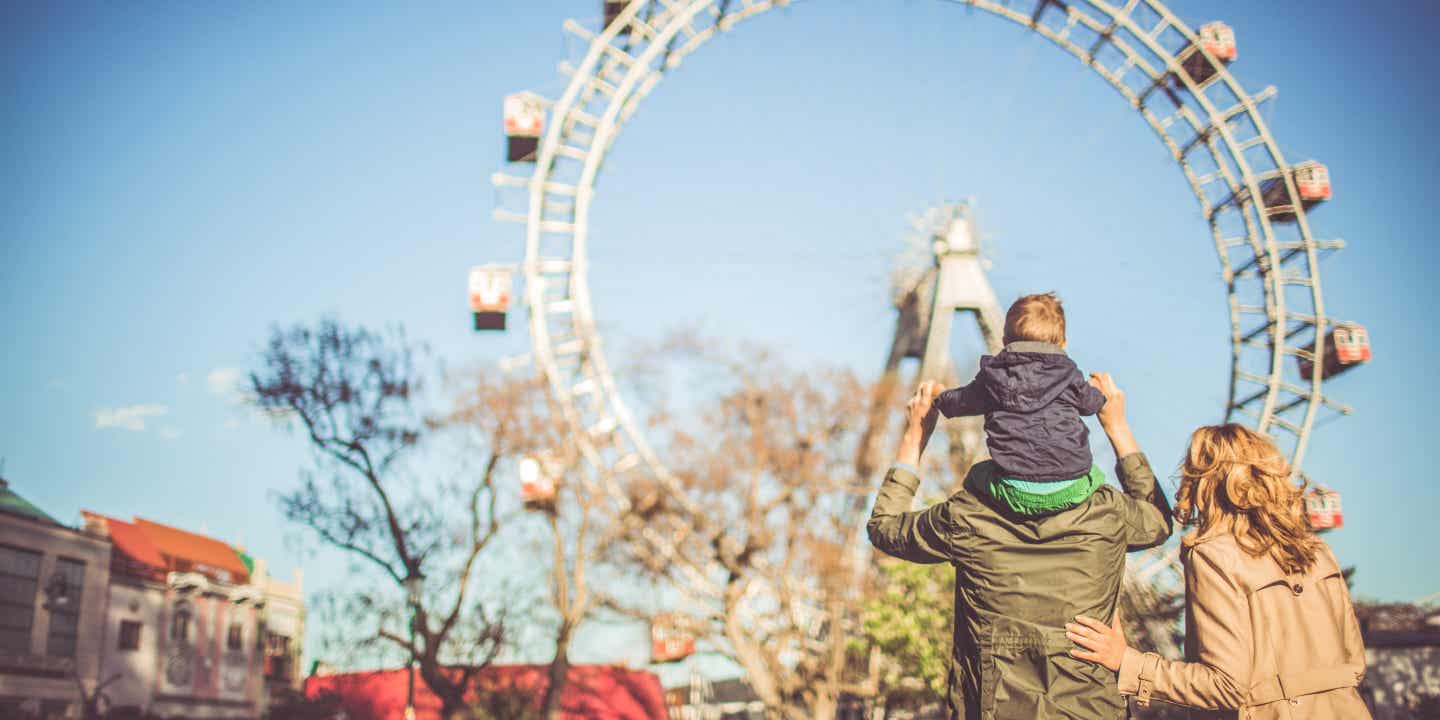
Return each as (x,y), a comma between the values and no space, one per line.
(1269,626)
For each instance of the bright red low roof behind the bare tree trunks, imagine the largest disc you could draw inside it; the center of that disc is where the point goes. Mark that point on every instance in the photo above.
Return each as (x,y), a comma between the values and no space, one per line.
(591,692)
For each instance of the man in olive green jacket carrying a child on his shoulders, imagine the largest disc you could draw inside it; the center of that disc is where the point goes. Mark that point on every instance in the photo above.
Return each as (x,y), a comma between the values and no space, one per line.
(1020,580)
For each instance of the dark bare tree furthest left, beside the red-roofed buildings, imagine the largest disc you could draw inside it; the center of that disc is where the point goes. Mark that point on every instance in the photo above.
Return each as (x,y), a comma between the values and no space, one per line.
(358,397)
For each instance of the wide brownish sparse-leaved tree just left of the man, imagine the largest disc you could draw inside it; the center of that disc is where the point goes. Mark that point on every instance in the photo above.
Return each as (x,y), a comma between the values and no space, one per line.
(762,522)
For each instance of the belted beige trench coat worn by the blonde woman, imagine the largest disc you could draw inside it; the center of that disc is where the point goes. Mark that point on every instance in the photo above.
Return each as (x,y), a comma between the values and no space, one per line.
(1259,644)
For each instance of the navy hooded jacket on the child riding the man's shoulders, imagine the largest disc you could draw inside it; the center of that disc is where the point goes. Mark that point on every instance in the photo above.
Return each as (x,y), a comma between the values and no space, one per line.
(1033,397)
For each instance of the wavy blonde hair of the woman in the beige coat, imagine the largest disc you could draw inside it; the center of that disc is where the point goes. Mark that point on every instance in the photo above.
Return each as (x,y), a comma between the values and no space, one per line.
(1235,479)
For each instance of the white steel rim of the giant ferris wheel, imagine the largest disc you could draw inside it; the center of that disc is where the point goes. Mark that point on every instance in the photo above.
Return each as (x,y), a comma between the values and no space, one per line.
(604,61)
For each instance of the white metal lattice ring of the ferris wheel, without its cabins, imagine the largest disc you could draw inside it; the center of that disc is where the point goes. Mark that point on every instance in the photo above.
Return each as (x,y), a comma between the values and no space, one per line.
(1212,127)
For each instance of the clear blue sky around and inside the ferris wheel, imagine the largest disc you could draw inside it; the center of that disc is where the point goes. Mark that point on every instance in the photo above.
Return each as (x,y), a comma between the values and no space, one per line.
(179,178)
